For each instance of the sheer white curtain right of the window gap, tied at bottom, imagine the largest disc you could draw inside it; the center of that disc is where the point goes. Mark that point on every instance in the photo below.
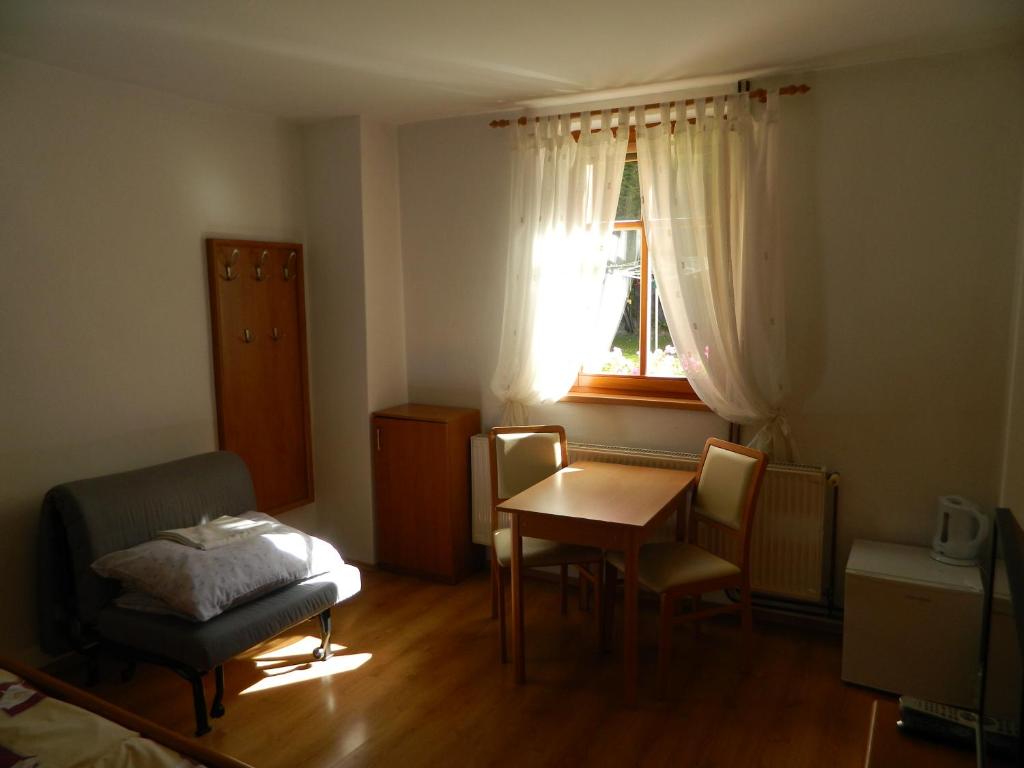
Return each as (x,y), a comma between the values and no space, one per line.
(709,192)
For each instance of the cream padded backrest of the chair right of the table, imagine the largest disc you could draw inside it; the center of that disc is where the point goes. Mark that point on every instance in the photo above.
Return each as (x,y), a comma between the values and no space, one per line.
(728,486)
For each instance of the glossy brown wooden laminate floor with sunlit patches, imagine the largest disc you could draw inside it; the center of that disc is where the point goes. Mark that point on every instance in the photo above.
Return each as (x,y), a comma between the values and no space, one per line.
(418,684)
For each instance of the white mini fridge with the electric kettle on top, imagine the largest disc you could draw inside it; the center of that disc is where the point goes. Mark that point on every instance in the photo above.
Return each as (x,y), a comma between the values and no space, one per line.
(912,625)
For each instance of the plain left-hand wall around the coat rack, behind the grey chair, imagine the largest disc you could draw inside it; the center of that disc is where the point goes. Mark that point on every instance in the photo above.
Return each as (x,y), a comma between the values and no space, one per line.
(105,328)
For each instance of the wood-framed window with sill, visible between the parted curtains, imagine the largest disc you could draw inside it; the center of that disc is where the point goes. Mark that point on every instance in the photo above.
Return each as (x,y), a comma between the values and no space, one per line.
(642,367)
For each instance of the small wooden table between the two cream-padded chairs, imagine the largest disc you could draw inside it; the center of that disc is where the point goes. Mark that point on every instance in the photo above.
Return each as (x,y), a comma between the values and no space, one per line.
(611,506)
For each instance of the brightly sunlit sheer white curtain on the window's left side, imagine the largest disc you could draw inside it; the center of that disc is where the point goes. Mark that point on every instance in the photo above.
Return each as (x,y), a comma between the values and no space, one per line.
(564,203)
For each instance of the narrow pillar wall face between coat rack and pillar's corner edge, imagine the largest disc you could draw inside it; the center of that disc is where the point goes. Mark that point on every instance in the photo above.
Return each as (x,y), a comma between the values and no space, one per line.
(338,333)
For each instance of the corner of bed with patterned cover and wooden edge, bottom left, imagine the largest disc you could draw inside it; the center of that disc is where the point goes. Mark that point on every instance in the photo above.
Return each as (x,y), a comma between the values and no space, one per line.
(50,723)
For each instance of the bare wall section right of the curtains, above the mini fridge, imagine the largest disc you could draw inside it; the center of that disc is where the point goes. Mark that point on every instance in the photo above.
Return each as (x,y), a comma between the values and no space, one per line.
(905,202)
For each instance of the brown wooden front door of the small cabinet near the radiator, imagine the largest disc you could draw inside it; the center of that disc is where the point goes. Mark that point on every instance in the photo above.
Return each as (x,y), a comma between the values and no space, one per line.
(411,486)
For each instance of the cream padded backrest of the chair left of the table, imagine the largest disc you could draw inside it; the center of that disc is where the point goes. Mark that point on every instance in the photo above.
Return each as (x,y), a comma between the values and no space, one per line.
(522,457)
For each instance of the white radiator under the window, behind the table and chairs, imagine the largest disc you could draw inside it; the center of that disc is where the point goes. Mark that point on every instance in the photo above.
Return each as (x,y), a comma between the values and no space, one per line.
(791,527)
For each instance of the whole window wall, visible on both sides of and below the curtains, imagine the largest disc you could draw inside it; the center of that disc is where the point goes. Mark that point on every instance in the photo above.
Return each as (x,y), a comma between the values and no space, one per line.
(903,190)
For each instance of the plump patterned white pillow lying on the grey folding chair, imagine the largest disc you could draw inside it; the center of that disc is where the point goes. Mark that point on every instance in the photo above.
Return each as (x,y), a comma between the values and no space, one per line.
(202,584)
